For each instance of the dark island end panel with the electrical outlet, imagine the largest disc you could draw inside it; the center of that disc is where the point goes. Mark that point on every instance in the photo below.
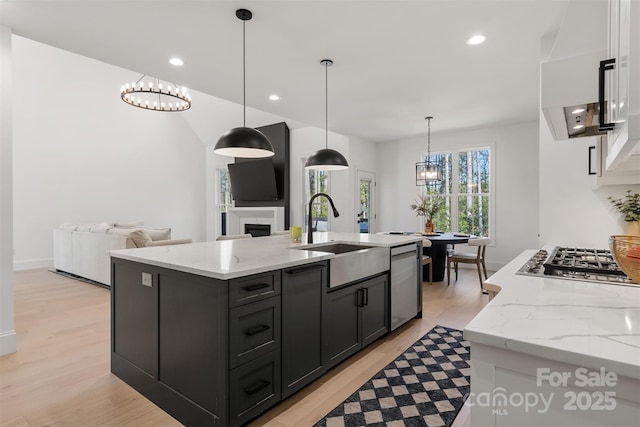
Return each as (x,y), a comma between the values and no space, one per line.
(135,315)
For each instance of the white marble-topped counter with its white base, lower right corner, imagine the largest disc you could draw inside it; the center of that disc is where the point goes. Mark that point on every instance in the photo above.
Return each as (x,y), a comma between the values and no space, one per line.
(547,351)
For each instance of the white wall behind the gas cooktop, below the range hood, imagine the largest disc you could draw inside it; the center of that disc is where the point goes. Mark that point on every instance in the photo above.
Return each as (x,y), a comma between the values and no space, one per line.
(572,211)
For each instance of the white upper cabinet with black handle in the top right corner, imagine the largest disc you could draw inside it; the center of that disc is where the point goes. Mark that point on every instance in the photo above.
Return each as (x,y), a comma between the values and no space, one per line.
(622,86)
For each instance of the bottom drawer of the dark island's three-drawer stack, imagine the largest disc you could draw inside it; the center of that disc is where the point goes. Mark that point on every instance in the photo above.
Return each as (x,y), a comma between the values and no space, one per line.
(254,387)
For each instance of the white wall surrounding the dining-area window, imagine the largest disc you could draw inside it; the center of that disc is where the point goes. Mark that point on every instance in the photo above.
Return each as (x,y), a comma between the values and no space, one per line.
(516,186)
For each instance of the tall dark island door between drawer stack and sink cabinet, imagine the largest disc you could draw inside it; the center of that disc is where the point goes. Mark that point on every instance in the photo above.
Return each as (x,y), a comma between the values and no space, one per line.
(302,291)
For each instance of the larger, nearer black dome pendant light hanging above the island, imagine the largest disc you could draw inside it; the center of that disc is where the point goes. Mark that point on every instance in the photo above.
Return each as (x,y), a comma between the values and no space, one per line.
(243,141)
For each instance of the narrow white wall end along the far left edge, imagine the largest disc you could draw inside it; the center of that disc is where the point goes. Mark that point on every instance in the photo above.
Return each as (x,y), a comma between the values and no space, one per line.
(7,333)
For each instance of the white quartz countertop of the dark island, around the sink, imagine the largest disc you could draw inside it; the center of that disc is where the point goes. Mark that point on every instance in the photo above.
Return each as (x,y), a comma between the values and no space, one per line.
(229,259)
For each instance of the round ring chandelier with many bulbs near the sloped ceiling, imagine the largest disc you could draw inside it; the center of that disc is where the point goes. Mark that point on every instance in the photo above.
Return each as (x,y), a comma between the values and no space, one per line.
(154,95)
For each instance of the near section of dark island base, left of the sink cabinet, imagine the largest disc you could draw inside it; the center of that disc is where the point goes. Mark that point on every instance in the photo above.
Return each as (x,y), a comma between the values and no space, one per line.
(216,352)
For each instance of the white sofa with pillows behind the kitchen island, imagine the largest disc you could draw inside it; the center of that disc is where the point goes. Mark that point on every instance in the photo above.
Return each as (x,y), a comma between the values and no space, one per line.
(83,250)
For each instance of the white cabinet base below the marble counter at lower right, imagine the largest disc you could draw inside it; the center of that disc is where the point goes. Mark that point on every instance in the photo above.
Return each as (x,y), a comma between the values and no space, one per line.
(515,389)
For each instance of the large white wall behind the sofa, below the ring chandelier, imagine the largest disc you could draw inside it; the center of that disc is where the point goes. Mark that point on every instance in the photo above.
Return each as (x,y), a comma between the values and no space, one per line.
(82,155)
